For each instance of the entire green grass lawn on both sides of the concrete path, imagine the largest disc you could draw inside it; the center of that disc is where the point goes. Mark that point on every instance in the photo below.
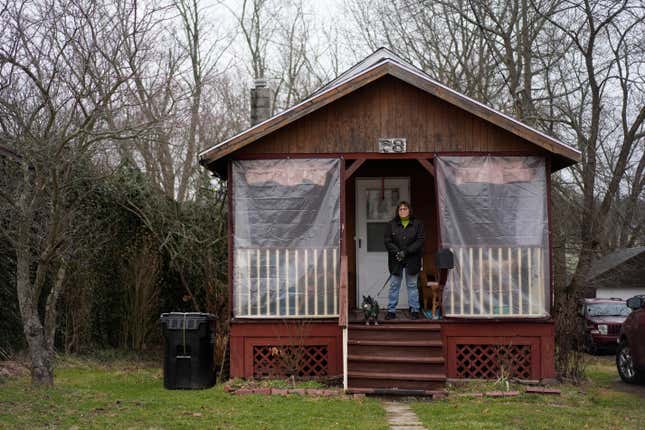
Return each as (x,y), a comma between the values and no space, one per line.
(129,394)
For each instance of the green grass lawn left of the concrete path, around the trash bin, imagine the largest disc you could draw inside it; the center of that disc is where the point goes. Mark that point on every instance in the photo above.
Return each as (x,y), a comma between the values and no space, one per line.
(128,395)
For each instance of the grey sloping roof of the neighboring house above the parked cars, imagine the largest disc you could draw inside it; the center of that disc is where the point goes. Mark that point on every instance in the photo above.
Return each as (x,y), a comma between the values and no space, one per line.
(618,264)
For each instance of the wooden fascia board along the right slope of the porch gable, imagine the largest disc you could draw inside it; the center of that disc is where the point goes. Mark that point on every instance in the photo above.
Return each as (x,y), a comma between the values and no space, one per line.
(485,113)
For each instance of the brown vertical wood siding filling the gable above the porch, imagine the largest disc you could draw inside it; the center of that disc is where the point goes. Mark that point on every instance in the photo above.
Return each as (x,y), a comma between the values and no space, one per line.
(389,107)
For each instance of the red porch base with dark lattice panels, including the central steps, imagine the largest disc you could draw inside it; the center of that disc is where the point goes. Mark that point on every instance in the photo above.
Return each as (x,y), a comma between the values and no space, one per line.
(404,356)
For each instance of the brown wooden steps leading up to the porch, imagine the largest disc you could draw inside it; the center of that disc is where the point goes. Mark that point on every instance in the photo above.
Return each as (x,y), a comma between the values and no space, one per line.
(398,355)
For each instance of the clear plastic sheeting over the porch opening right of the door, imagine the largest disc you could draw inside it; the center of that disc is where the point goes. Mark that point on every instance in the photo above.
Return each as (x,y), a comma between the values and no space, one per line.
(493,215)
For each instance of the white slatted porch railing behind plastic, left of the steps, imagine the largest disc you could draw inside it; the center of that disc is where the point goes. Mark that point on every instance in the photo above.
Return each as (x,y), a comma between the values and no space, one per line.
(286,282)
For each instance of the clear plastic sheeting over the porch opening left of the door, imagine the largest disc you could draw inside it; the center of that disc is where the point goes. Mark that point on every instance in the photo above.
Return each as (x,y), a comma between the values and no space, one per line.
(286,237)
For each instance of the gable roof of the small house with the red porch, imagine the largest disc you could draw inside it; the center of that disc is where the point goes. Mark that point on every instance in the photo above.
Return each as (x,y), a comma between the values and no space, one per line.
(380,63)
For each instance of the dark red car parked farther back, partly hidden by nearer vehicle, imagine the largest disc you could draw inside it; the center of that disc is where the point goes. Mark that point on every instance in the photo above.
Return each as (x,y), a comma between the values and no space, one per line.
(601,320)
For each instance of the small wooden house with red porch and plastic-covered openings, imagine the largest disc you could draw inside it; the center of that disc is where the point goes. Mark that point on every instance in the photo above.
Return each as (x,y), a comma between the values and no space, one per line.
(310,190)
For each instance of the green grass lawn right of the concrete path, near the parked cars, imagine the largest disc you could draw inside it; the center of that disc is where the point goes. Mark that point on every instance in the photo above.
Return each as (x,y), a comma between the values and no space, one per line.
(604,402)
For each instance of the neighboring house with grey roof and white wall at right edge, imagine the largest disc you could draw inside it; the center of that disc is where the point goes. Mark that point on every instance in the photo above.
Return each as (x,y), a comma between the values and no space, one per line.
(620,274)
